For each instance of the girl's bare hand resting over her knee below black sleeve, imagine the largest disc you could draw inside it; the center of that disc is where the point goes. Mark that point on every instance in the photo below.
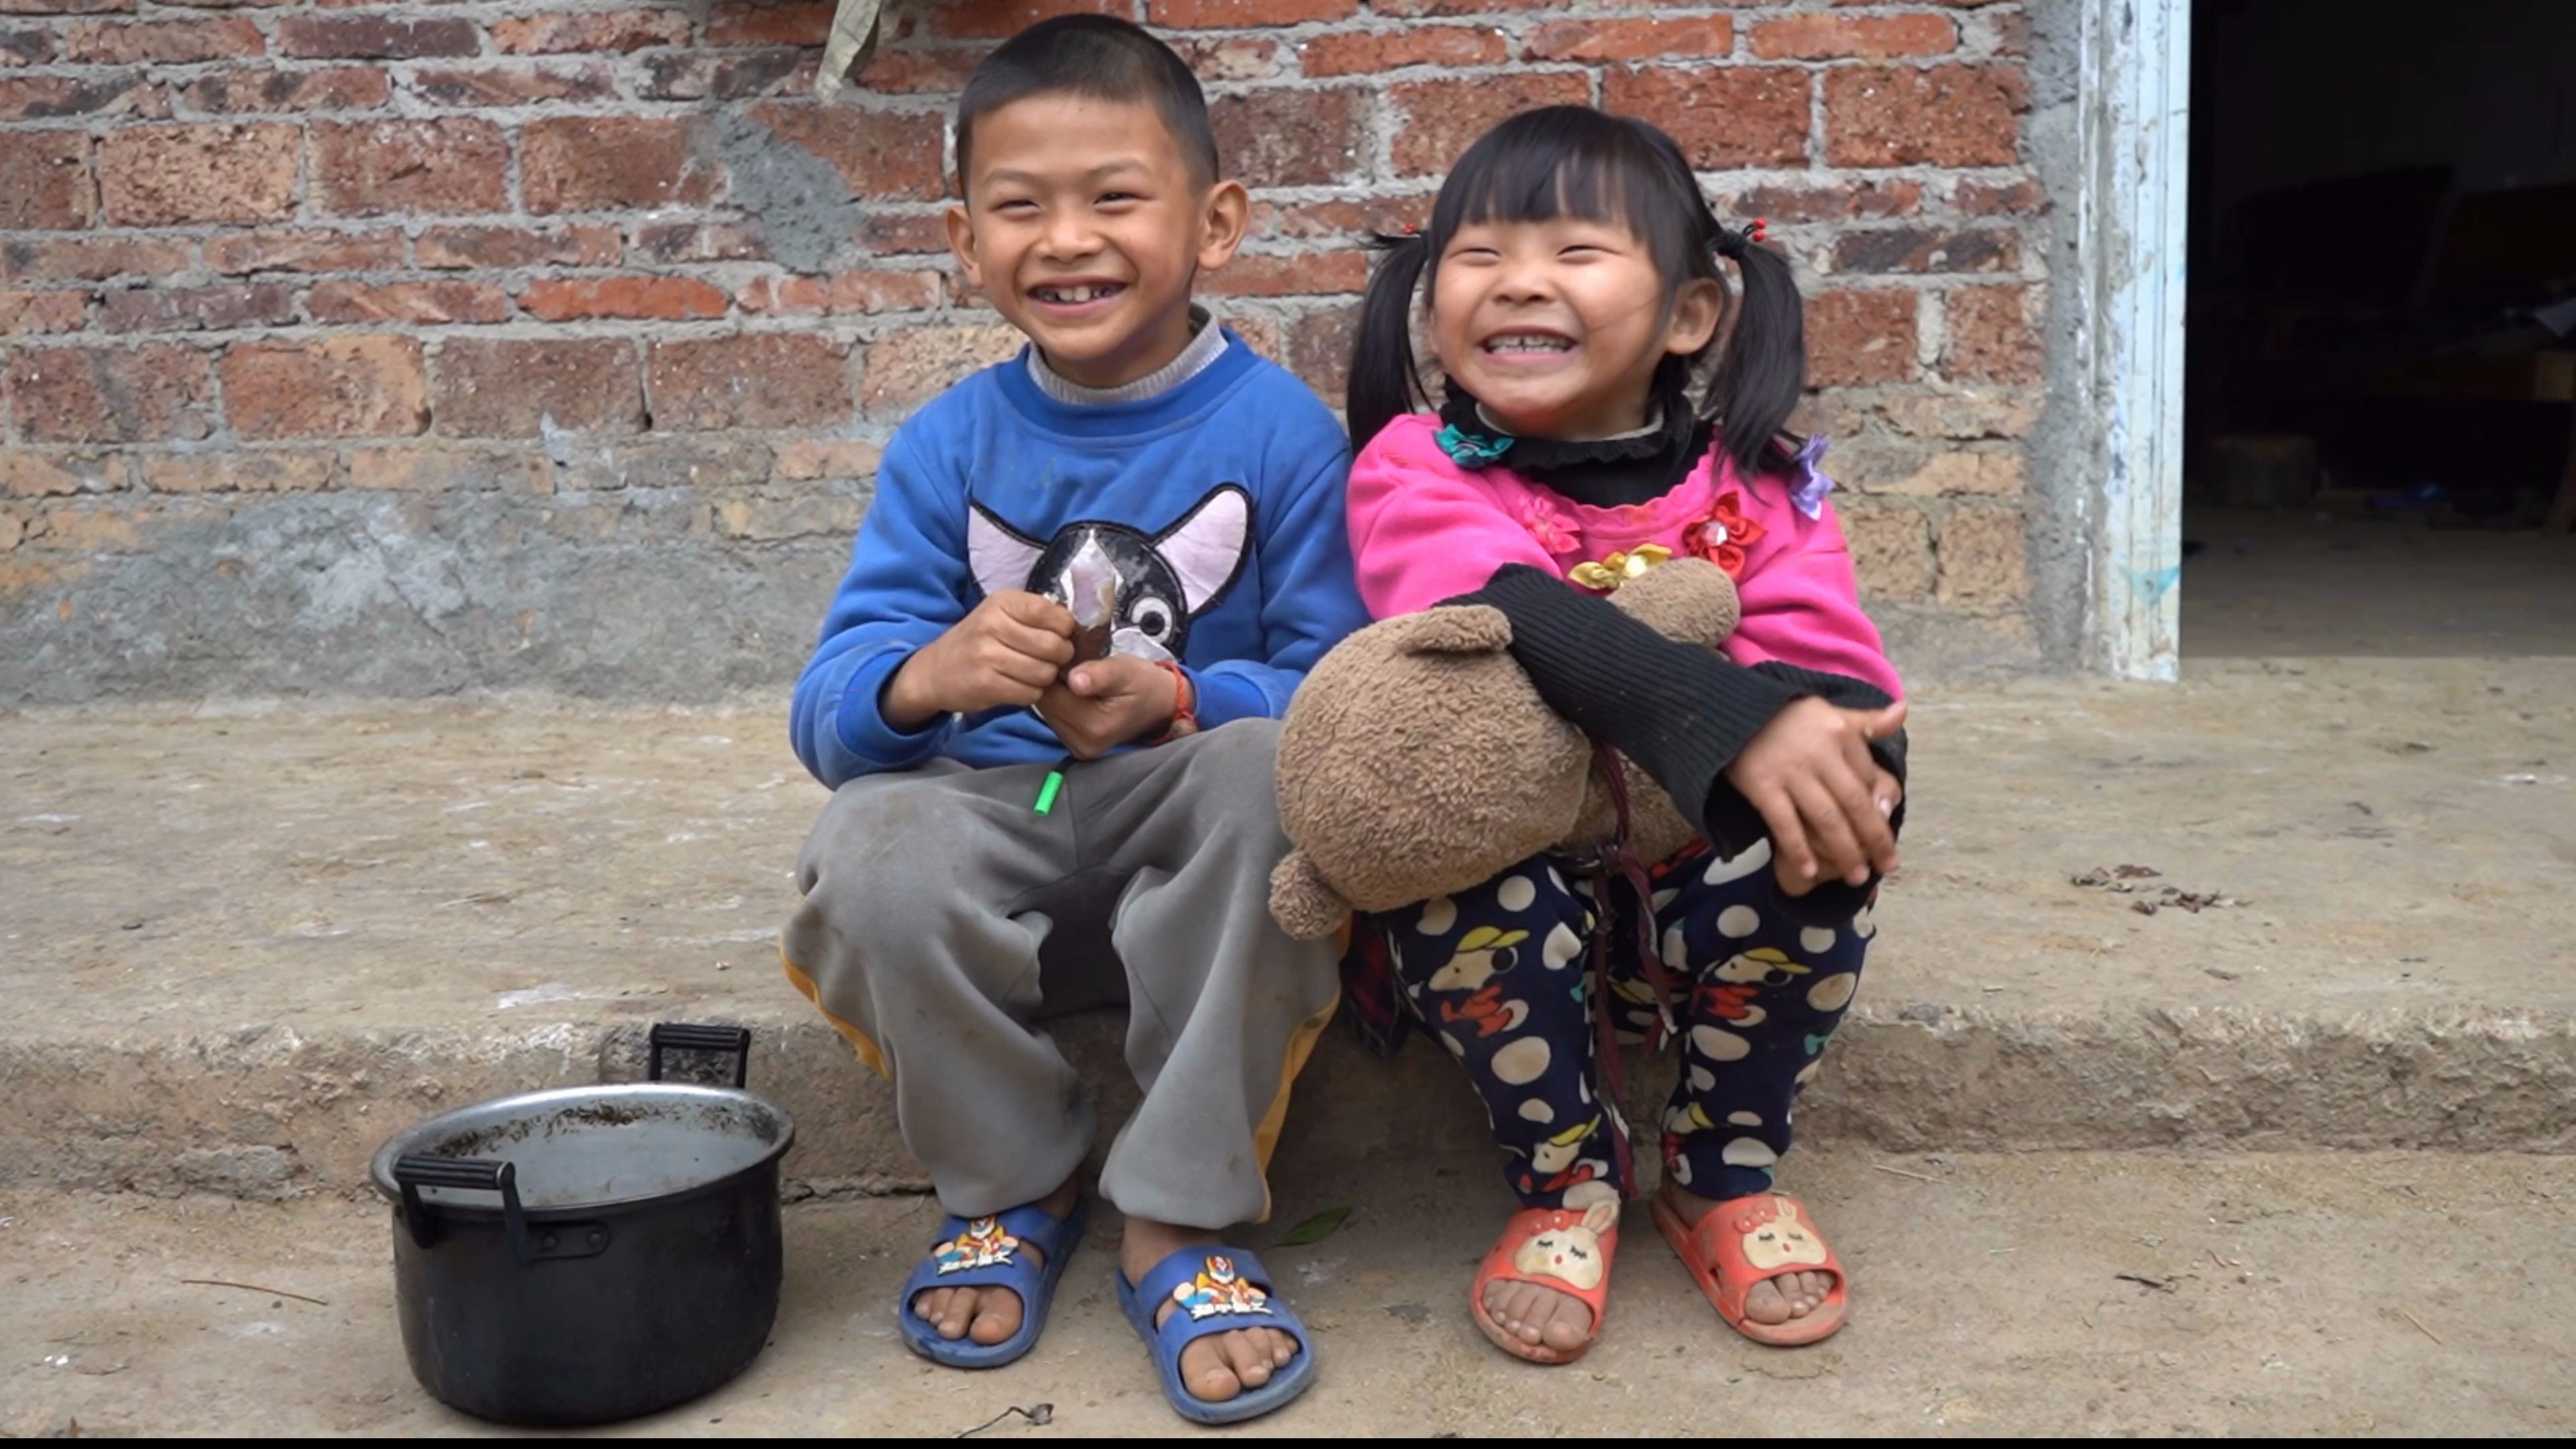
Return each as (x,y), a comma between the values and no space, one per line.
(1828,803)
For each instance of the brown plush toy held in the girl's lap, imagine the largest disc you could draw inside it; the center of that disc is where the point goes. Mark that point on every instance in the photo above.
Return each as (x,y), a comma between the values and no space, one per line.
(1421,762)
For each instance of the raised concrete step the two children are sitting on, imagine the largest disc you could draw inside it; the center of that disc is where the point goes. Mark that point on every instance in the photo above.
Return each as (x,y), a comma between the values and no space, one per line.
(241,948)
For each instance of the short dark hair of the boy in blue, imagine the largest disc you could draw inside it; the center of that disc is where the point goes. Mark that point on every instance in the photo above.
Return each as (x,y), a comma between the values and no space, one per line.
(1099,58)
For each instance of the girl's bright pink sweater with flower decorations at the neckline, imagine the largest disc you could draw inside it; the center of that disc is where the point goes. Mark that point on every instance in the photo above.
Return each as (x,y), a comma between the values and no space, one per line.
(1426,530)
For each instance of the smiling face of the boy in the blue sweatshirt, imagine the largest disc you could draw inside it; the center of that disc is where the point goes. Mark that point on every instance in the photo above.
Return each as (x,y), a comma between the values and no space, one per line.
(1086,228)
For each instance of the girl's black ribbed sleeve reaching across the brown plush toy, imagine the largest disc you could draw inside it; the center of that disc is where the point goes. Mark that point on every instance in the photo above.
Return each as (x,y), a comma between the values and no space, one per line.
(1683,713)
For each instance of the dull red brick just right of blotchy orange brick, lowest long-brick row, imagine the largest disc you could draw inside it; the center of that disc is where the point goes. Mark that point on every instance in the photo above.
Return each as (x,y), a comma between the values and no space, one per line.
(516,388)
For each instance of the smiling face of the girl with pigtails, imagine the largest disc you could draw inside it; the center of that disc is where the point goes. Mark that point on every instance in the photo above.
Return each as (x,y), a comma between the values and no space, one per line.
(1557,326)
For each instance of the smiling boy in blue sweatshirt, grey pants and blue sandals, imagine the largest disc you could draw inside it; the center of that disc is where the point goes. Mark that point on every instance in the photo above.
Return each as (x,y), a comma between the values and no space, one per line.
(1001,793)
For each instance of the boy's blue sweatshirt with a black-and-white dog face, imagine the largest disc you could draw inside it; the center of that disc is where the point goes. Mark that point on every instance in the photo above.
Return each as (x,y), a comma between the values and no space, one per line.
(1220,504)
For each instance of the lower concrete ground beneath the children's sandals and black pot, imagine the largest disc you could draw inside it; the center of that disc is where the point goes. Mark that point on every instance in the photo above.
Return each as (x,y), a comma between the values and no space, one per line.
(2026,1296)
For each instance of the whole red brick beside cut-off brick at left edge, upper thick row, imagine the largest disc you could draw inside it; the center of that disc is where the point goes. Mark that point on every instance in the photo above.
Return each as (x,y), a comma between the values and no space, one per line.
(171,177)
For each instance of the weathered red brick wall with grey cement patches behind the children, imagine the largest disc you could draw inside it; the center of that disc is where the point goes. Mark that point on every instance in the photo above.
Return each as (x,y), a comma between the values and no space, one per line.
(450,344)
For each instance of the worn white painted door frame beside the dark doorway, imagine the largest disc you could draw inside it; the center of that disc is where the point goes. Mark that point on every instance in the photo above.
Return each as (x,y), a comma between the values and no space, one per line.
(2132,226)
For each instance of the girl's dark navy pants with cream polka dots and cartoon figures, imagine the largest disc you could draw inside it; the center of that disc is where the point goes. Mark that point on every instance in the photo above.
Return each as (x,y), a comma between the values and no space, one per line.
(1503,978)
